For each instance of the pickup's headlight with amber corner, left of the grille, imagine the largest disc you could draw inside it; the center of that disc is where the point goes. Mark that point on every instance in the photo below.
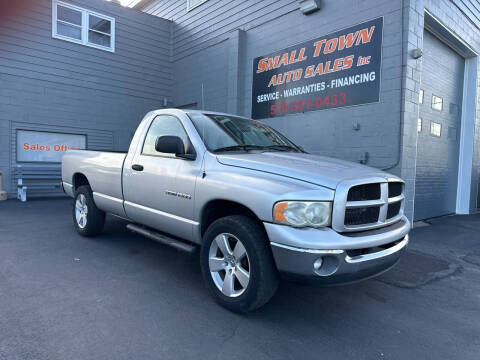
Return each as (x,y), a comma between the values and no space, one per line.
(303,213)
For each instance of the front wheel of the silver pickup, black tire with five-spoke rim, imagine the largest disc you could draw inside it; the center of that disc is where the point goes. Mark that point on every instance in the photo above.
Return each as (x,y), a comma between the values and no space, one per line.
(238,295)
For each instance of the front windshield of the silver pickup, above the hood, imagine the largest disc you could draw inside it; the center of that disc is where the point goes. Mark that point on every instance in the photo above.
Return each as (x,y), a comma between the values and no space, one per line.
(228,133)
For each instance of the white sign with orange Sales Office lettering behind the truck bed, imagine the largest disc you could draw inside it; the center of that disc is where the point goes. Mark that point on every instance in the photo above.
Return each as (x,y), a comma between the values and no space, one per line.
(37,146)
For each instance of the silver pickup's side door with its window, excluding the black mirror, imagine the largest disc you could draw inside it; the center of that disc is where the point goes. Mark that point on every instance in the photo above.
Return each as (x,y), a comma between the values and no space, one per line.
(159,187)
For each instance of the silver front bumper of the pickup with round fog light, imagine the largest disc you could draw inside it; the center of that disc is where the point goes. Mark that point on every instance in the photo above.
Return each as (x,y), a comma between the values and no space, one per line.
(356,256)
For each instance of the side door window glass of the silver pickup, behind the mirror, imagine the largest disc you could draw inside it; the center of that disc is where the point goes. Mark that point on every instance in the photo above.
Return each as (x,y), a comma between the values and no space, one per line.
(163,125)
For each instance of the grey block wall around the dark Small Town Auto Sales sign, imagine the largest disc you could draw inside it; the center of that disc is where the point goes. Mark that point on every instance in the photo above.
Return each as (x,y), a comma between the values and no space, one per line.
(215,44)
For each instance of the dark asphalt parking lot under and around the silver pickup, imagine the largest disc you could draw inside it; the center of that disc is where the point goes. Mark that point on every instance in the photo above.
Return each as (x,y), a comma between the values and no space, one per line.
(121,296)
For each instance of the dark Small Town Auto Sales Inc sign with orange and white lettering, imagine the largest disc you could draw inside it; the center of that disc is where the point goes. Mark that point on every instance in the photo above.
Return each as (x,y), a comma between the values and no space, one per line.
(336,70)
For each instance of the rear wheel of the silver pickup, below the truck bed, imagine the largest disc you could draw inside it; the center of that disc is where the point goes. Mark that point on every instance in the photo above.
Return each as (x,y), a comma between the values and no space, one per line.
(87,218)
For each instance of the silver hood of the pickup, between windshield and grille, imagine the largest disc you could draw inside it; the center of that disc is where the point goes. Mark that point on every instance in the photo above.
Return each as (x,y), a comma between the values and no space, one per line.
(315,169)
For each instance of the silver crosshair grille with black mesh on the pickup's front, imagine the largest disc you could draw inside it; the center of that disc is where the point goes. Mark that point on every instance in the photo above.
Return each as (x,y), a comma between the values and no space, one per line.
(367,206)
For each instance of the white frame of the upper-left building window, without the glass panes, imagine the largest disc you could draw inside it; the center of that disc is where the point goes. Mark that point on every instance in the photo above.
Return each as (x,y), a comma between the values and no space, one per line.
(85,27)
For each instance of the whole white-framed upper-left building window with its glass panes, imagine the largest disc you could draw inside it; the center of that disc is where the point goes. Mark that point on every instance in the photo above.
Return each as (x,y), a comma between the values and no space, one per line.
(82,26)
